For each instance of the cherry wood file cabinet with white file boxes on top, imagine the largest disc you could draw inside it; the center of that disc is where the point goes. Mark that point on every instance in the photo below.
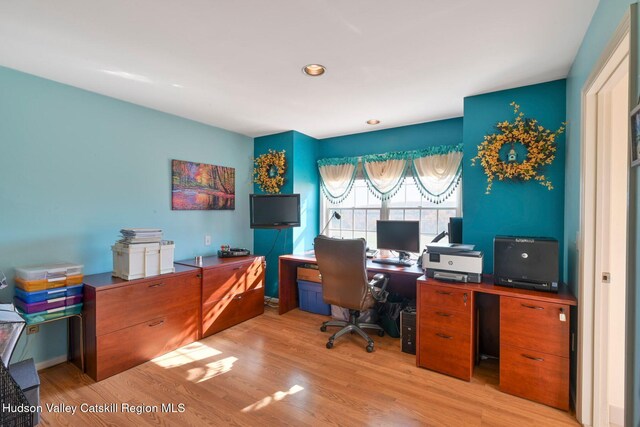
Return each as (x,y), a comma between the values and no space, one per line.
(130,322)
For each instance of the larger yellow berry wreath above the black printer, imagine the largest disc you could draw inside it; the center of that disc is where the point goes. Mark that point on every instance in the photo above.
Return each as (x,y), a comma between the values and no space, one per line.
(539,142)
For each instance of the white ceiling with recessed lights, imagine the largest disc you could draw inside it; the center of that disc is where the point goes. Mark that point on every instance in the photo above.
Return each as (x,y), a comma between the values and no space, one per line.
(237,64)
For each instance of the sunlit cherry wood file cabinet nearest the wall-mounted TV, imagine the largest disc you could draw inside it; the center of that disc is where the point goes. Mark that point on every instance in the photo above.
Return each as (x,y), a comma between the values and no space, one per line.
(232,291)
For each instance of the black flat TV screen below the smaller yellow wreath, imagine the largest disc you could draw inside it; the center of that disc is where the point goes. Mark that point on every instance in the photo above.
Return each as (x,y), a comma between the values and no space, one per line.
(274,210)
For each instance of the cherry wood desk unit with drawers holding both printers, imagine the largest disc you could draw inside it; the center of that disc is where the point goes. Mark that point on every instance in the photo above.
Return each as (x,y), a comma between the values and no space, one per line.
(533,329)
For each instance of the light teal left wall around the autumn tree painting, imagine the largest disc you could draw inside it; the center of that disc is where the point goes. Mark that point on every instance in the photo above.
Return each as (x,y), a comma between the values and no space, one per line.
(77,167)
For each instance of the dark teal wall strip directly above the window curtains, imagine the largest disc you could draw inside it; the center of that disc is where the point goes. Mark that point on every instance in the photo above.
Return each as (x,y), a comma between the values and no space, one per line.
(413,137)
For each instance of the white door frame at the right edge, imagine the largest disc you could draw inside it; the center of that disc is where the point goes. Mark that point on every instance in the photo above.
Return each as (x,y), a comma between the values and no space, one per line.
(588,376)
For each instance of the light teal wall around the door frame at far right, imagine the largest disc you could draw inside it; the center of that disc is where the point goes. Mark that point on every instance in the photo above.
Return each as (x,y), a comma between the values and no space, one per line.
(604,23)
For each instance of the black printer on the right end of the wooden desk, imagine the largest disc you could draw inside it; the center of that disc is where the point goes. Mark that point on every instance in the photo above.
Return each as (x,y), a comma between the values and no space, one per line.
(526,262)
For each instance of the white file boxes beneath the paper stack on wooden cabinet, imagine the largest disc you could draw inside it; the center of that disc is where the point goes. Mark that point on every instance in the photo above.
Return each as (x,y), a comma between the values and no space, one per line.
(138,261)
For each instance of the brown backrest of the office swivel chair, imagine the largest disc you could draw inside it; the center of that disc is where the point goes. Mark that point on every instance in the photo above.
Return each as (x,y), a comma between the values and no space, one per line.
(343,266)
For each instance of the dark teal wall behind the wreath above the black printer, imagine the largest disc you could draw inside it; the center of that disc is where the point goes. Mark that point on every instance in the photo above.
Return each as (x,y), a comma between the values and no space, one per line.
(512,208)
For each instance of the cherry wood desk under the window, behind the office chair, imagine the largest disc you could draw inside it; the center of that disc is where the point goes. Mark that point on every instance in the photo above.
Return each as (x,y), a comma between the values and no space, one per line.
(402,279)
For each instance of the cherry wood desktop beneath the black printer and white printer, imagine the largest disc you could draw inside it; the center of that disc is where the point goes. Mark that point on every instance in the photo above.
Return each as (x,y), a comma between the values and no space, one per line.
(563,296)
